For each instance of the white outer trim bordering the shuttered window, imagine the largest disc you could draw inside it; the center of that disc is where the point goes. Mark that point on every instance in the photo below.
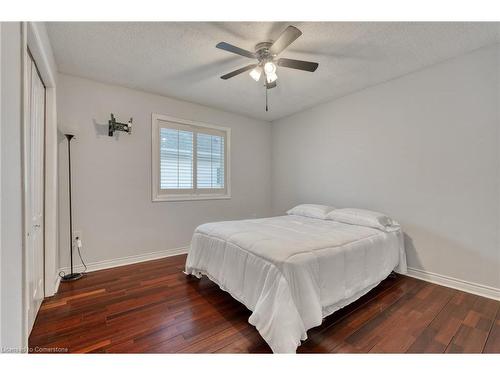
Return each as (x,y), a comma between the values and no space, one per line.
(160,196)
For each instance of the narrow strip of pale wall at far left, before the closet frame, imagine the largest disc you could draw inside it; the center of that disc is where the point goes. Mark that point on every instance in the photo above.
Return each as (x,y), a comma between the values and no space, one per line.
(11,273)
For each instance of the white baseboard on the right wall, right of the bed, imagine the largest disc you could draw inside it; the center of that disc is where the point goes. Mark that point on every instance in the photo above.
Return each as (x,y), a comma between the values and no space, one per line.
(451,282)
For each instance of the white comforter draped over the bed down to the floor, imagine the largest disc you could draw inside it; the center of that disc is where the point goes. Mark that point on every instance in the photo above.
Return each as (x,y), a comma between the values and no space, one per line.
(292,271)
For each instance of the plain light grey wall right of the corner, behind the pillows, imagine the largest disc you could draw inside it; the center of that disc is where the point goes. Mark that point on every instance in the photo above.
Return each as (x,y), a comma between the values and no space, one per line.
(423,148)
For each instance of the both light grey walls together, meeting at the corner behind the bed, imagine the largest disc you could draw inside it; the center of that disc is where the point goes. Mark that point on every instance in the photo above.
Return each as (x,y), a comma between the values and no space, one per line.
(424,148)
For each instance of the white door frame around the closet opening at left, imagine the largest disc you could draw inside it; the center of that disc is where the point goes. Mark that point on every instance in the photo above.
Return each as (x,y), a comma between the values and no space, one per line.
(35,38)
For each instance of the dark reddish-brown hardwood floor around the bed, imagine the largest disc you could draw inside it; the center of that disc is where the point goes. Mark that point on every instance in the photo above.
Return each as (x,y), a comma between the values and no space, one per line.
(154,307)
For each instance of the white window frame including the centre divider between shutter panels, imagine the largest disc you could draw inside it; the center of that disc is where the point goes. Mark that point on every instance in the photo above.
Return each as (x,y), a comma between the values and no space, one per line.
(168,195)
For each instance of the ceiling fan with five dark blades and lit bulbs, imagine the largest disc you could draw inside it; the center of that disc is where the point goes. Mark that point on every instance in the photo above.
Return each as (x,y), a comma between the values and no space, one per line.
(266,54)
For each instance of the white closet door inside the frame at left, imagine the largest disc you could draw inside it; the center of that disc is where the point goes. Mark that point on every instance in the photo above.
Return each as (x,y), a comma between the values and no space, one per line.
(34,158)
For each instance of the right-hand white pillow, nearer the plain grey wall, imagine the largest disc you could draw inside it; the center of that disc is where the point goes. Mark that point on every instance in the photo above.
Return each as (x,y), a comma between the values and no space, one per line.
(366,218)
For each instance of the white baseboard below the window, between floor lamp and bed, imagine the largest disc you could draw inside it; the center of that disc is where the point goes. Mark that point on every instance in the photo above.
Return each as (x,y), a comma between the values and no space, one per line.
(105,264)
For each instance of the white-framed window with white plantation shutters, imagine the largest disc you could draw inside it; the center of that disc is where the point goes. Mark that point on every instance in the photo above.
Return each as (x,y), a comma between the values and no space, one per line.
(190,160)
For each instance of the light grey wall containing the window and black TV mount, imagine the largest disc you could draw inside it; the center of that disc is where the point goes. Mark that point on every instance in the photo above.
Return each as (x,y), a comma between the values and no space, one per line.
(112,176)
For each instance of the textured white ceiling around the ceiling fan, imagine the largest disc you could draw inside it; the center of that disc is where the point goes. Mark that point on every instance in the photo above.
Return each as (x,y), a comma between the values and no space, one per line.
(180,59)
